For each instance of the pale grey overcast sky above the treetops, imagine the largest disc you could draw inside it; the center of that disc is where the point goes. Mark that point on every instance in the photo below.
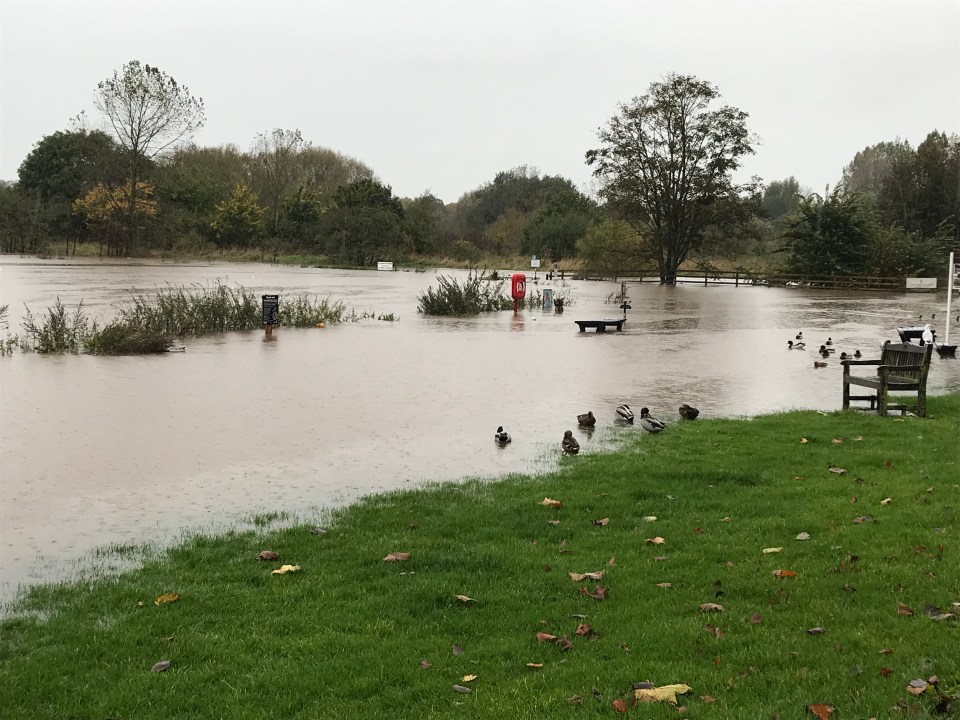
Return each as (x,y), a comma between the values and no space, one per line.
(440,95)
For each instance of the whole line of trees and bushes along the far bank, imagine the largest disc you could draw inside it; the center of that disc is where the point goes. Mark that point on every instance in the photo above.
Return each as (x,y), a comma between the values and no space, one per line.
(665,166)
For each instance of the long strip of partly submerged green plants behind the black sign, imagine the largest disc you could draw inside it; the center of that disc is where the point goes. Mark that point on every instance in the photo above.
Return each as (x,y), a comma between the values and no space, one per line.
(150,323)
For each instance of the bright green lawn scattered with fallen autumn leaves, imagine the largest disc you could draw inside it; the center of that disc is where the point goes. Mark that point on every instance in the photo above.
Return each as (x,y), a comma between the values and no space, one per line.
(348,633)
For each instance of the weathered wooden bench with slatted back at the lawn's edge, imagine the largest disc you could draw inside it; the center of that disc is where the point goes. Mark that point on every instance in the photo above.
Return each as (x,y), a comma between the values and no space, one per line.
(902,368)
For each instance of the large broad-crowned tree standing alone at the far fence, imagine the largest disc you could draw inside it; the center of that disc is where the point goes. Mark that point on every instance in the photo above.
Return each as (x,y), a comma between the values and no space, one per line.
(665,158)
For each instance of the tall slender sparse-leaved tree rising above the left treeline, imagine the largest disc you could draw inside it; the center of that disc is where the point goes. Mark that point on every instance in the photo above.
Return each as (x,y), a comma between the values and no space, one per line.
(149,113)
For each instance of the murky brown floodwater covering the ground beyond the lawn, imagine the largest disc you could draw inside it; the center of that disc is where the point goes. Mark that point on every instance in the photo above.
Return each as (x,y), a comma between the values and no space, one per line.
(98,451)
